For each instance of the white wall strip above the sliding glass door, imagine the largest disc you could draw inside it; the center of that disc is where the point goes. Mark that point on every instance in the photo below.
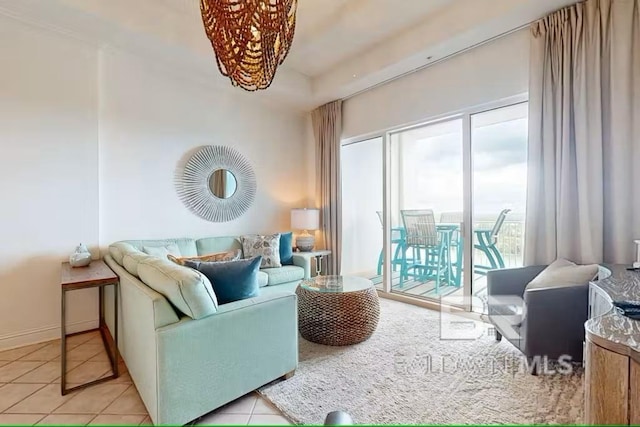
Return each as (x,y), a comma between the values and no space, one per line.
(488,73)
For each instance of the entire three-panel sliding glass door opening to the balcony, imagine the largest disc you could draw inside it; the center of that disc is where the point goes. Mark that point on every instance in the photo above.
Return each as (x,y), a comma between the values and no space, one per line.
(429,209)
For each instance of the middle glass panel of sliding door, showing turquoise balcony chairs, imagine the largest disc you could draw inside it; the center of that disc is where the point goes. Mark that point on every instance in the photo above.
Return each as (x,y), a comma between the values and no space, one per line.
(426,200)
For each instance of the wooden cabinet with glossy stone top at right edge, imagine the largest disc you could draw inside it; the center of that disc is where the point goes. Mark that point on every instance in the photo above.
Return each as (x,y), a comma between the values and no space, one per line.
(612,353)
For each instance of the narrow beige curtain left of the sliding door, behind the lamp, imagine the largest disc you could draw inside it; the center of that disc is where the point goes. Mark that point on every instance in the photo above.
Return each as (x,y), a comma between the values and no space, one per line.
(327,128)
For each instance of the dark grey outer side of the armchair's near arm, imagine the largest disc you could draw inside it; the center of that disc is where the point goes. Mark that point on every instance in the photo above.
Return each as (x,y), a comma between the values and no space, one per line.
(554,324)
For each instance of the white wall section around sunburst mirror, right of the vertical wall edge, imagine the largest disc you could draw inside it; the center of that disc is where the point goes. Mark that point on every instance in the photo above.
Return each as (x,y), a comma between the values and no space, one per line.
(149,121)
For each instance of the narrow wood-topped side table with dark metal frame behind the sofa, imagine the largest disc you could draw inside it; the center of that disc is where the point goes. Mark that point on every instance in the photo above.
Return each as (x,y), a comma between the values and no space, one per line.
(99,275)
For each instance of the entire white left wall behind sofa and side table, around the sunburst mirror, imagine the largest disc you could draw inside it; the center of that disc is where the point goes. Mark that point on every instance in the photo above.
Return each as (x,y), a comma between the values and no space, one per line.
(89,143)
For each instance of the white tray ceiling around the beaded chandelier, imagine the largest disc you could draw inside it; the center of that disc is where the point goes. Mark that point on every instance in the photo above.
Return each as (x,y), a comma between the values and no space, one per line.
(341,47)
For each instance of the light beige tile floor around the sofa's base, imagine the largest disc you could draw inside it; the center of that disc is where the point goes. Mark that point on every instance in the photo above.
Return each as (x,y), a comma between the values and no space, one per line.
(30,390)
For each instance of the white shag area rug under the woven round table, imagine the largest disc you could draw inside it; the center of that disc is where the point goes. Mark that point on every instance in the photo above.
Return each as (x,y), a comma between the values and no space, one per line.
(406,374)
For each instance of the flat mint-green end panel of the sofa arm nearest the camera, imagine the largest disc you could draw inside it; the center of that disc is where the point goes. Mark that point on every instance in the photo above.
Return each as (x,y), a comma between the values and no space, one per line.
(241,347)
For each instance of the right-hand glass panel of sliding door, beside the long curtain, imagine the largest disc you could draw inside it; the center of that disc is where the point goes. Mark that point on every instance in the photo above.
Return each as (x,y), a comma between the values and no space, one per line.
(499,154)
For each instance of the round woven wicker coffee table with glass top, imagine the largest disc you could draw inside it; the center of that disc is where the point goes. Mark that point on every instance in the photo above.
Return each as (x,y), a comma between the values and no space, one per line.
(337,310)
